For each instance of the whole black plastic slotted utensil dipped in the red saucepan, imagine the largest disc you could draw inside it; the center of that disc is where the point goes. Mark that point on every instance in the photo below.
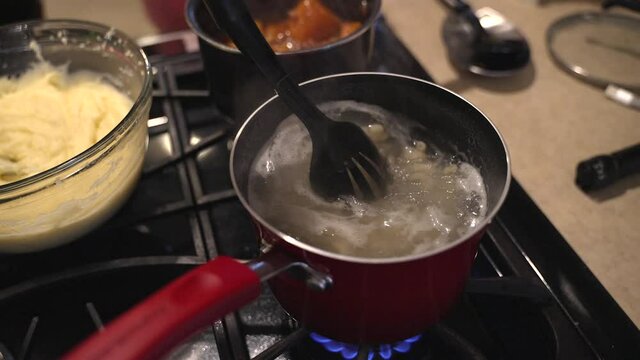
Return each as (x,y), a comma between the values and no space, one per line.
(344,161)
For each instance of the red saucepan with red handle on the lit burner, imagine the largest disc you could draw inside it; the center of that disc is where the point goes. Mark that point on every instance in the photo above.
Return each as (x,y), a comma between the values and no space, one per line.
(346,298)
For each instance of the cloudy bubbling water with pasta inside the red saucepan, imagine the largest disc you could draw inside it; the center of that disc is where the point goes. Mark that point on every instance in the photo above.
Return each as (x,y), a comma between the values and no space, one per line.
(432,198)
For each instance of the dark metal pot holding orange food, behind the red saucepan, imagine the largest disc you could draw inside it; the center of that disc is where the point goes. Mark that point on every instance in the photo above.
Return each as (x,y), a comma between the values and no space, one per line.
(235,84)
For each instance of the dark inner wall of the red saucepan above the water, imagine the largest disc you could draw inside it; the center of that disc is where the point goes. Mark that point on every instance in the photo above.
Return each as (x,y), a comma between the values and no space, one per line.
(439,117)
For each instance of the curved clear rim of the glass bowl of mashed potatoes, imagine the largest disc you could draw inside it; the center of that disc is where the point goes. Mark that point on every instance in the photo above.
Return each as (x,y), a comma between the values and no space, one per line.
(112,135)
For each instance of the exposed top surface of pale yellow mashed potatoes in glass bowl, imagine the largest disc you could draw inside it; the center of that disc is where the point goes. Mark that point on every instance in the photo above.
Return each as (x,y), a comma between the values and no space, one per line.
(48,116)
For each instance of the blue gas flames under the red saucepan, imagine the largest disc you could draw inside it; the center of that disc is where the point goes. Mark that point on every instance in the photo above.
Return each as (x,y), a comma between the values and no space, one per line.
(350,351)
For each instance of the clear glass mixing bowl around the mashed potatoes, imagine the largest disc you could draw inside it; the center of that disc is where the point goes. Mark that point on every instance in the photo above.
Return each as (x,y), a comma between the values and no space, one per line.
(65,202)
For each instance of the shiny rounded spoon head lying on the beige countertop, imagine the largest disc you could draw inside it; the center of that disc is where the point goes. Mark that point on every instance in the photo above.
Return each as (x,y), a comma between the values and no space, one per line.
(483,42)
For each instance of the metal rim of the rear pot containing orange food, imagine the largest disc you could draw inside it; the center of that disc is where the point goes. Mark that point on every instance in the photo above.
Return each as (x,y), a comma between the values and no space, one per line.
(190,11)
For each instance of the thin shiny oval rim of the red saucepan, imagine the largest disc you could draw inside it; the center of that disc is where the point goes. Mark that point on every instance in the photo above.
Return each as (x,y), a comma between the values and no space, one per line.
(362,260)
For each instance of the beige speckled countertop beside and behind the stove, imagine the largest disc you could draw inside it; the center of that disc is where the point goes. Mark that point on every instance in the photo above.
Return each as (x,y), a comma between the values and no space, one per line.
(550,121)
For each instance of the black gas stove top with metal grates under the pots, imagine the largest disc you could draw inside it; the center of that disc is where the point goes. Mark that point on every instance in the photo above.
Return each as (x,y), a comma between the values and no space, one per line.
(529,297)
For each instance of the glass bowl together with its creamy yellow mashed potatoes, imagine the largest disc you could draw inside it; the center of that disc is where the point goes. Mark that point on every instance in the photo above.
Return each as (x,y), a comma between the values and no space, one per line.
(75,143)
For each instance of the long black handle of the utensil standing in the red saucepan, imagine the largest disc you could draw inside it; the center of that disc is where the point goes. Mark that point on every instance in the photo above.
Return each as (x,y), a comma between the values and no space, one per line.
(234,18)
